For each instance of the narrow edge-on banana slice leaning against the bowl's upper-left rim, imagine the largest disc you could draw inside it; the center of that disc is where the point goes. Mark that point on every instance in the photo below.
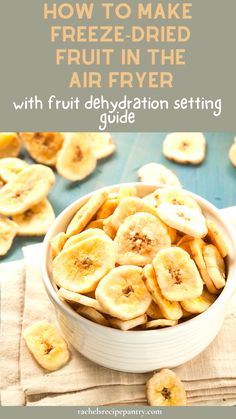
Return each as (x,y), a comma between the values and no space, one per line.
(85,214)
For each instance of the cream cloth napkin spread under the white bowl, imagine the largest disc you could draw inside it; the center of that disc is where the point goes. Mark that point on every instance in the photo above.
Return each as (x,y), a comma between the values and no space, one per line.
(210,378)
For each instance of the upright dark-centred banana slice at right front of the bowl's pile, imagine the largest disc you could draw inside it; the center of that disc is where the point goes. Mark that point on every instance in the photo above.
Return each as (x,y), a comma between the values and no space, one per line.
(177,274)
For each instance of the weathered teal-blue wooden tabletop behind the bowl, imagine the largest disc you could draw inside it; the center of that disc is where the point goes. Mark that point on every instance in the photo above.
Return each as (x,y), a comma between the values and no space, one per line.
(214,179)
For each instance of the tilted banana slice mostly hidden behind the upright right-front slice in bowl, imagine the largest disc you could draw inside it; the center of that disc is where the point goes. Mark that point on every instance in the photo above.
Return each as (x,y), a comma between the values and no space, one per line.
(170,310)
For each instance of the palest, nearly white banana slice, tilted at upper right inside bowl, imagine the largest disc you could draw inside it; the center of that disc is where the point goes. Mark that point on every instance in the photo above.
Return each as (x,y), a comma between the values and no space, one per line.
(184,219)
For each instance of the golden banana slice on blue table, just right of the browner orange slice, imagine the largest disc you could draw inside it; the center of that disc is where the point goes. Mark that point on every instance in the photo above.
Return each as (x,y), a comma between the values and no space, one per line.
(76,160)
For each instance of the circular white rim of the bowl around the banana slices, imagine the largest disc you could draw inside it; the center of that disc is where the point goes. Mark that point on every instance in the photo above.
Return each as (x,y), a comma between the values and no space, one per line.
(224,296)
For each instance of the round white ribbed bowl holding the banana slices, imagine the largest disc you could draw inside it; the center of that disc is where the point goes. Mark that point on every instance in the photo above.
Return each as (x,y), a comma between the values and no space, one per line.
(140,351)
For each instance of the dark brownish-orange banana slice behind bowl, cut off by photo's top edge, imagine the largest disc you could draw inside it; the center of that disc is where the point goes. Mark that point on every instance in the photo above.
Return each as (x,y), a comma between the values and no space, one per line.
(43,147)
